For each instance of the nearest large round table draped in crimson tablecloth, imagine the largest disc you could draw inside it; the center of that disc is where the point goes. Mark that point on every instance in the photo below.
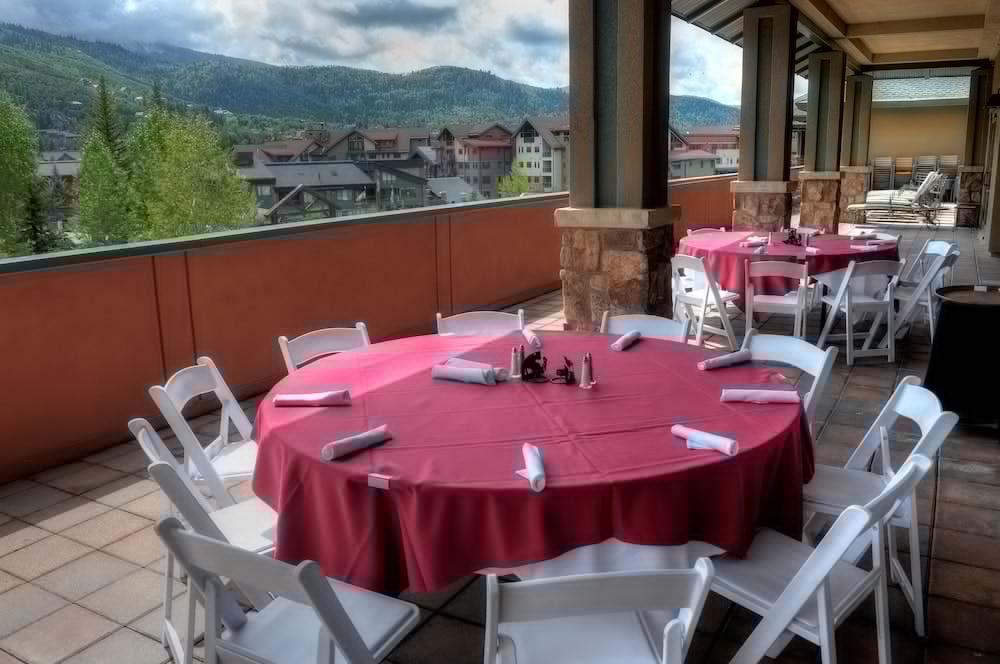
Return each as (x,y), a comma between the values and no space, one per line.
(453,504)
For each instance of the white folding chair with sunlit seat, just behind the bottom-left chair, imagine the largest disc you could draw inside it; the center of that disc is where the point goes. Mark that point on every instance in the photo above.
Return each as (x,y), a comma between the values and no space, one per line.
(248,525)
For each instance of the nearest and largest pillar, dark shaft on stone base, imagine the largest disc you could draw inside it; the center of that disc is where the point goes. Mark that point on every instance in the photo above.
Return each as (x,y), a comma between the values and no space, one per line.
(617,234)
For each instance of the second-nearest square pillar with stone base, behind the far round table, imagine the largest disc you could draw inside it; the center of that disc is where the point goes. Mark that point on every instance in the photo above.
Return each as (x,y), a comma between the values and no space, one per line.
(763,197)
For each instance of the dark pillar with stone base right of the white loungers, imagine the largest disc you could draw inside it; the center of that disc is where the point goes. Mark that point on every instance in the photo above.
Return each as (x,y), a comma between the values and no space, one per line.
(971,172)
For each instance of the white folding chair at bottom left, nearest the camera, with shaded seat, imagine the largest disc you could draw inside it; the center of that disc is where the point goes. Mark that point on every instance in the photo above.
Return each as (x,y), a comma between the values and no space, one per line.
(310,620)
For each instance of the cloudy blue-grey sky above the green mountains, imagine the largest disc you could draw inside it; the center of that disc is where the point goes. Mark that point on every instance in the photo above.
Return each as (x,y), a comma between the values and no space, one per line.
(525,40)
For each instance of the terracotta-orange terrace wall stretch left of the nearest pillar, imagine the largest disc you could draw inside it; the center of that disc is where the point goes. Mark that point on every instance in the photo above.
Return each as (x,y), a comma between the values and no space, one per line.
(80,345)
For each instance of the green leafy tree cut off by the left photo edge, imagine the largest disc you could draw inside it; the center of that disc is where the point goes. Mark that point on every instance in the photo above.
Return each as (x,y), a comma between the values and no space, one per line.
(18,148)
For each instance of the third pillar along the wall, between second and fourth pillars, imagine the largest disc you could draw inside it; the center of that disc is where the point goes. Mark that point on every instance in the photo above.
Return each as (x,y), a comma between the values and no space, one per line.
(819,182)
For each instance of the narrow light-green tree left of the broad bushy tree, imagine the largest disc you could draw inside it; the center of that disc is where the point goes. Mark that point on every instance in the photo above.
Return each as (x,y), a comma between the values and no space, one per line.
(106,212)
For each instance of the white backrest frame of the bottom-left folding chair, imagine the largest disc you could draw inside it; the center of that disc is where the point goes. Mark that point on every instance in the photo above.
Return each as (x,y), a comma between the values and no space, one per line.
(208,560)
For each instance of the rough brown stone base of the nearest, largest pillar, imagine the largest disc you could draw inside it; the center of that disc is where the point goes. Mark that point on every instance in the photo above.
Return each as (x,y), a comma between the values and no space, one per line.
(614,259)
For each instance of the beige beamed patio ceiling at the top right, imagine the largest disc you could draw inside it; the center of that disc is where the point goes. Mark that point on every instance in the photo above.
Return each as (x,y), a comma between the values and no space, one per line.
(875,35)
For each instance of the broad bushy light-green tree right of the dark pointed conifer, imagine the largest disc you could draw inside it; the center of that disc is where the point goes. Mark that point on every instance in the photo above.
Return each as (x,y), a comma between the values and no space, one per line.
(186,180)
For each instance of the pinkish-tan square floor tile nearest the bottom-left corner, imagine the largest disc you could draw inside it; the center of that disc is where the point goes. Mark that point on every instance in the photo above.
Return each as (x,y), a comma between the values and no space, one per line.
(58,635)
